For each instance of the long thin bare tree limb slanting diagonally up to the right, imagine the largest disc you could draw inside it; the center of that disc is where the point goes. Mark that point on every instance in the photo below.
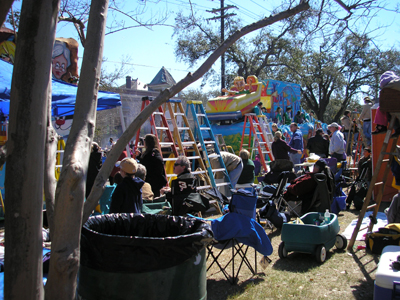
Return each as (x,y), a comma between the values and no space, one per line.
(112,157)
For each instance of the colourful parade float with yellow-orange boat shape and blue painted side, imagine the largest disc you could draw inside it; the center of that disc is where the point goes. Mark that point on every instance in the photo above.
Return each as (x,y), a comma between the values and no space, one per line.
(226,112)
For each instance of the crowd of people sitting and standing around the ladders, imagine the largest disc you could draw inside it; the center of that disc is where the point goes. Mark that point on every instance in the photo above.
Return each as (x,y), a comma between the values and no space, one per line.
(144,178)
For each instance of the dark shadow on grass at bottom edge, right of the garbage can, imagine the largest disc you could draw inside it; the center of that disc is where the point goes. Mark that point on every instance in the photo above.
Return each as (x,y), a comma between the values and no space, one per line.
(222,289)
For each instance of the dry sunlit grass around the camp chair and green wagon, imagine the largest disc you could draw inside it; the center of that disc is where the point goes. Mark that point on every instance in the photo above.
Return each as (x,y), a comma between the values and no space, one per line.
(343,275)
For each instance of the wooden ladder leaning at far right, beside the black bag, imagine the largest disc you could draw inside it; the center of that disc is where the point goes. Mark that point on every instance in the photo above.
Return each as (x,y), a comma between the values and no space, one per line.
(381,160)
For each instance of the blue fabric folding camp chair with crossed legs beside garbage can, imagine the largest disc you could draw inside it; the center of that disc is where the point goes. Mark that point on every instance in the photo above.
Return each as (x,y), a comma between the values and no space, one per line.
(236,232)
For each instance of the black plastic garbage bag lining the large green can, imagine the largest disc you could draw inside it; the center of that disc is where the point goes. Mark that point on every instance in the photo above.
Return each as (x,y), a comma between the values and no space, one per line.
(135,243)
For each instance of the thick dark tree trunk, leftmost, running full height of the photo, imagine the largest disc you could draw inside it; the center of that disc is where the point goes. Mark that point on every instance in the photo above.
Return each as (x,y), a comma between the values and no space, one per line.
(30,90)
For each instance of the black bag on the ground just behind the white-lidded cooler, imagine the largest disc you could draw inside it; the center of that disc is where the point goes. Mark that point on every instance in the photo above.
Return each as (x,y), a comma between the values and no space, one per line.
(388,235)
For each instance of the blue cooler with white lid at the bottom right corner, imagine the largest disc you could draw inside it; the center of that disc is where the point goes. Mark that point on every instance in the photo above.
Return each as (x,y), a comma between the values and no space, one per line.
(385,275)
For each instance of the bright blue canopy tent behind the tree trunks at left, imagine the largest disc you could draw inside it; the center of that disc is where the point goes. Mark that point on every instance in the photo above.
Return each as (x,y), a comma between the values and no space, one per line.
(63,94)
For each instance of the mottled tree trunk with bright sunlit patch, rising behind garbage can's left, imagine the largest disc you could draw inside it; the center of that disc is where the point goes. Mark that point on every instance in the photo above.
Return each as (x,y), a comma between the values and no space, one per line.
(70,192)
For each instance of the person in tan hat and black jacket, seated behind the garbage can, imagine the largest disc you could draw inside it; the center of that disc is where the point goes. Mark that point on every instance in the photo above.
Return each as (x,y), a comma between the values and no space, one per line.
(127,196)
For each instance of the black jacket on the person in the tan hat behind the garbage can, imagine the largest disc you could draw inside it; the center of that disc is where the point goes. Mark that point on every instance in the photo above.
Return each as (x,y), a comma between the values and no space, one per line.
(127,196)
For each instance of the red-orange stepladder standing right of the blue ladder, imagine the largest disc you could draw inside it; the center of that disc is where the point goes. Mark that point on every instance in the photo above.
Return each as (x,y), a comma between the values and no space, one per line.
(259,144)
